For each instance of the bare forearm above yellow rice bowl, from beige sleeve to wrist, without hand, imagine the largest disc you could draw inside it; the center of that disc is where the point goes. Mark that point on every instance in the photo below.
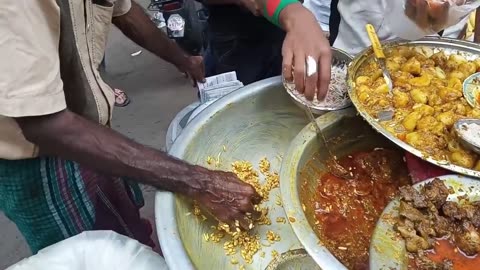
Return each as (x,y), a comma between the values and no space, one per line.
(72,137)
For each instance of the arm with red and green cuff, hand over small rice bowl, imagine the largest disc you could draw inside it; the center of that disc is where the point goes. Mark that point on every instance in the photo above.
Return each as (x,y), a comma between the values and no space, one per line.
(304,39)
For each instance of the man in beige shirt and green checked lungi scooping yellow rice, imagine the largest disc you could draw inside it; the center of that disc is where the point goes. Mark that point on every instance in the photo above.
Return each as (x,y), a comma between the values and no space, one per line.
(62,169)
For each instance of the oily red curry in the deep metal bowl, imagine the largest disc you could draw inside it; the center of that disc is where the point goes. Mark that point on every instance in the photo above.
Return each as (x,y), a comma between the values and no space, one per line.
(347,210)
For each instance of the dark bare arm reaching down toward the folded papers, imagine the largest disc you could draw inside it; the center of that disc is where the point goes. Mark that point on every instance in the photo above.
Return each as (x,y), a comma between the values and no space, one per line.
(138,27)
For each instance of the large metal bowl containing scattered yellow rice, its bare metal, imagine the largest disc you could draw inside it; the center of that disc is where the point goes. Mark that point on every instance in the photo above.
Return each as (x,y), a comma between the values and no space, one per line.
(253,122)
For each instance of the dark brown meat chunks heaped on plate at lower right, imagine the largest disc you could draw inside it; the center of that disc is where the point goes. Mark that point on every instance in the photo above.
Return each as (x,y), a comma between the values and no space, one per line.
(426,215)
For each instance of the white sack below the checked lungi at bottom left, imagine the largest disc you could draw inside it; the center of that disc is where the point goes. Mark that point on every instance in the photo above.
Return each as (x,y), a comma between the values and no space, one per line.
(94,250)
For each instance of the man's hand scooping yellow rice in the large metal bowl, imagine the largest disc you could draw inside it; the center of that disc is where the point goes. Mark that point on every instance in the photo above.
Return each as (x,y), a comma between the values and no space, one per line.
(228,199)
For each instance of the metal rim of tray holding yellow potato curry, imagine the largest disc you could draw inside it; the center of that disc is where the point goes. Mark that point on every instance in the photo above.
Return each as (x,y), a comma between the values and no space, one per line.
(450,46)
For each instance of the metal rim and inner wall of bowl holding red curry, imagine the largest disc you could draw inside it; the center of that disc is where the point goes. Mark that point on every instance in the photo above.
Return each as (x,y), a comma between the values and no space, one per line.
(346,133)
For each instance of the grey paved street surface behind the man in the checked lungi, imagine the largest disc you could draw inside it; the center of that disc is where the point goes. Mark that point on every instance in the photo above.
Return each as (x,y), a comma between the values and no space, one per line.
(157,90)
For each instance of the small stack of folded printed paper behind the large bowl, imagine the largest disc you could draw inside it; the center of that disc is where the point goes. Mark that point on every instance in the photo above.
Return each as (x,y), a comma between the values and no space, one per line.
(218,86)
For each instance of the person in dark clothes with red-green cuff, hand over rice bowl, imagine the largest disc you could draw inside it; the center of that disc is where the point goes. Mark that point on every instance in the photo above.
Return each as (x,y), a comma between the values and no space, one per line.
(242,41)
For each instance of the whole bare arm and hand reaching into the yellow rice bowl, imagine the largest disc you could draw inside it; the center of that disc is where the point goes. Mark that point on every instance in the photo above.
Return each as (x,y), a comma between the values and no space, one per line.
(69,136)
